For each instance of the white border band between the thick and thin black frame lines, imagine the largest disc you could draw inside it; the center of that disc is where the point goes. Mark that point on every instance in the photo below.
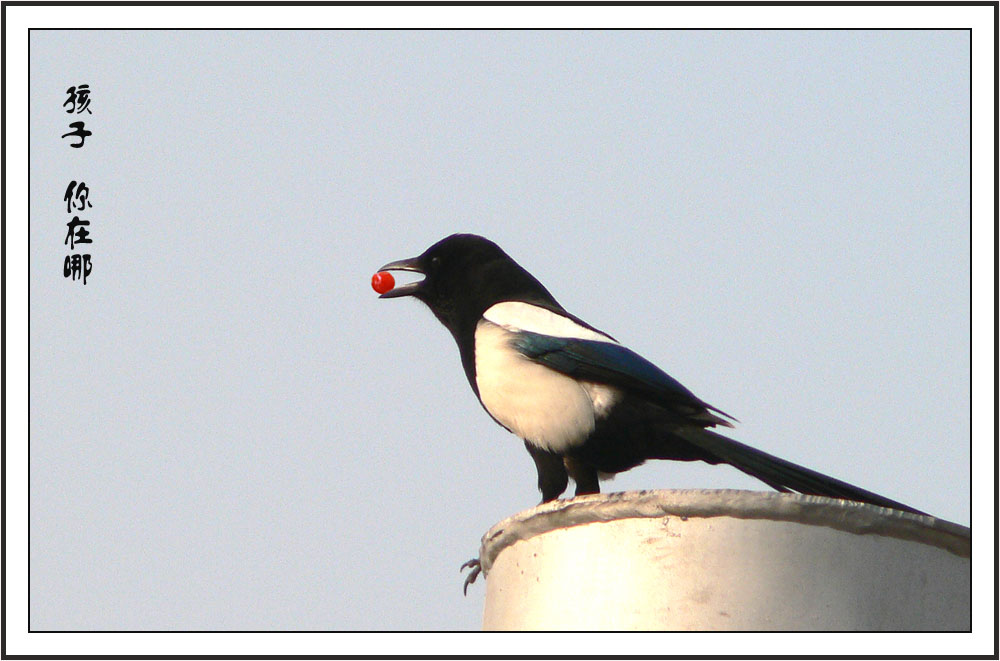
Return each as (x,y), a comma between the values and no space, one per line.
(980,19)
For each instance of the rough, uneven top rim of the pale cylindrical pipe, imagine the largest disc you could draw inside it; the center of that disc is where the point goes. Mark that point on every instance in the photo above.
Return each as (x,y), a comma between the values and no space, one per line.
(849,516)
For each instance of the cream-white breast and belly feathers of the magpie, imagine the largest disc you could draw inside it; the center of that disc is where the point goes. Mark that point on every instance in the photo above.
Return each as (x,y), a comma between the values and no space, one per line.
(548,409)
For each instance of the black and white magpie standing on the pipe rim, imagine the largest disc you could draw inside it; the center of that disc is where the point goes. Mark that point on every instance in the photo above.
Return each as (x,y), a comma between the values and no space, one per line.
(585,406)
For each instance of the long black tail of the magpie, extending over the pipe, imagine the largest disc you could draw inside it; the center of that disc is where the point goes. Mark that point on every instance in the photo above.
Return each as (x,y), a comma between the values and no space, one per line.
(783,475)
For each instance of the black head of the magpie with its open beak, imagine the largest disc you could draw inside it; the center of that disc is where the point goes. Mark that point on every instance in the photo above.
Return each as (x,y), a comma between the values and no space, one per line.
(465,274)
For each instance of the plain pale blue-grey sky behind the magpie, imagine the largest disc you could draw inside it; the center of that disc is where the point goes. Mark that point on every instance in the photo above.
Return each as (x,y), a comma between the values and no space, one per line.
(230,431)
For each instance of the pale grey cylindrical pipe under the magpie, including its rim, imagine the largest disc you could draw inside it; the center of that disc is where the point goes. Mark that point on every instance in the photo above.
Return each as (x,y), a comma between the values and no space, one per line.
(725,560)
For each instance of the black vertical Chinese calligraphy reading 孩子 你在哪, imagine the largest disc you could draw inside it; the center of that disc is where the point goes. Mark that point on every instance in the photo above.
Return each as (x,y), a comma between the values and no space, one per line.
(77,266)
